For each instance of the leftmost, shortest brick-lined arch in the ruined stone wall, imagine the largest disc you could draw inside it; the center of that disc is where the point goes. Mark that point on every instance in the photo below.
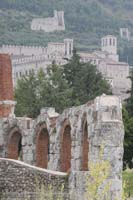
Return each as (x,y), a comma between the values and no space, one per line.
(15,144)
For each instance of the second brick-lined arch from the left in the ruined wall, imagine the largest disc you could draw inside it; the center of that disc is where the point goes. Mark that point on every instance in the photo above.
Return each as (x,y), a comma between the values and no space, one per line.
(42,146)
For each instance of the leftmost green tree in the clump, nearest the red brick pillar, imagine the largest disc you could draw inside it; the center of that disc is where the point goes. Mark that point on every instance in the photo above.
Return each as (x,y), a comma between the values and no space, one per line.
(26,97)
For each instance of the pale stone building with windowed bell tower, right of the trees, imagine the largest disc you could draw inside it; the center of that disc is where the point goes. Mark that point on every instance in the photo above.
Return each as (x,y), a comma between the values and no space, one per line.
(107,62)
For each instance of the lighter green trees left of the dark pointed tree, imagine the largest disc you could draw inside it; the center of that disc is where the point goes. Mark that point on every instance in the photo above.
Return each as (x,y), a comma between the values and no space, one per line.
(37,91)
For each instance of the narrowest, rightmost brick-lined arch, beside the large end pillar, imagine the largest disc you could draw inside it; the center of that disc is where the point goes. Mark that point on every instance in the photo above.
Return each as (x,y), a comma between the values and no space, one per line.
(85,148)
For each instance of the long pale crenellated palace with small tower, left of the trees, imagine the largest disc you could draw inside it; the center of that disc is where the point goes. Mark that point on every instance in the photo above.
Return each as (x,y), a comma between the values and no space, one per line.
(27,59)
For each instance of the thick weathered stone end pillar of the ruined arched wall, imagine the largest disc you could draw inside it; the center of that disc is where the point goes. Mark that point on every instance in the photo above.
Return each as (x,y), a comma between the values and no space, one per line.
(109,133)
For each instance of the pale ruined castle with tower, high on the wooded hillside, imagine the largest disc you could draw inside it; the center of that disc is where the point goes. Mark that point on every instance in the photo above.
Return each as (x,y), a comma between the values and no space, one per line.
(50,24)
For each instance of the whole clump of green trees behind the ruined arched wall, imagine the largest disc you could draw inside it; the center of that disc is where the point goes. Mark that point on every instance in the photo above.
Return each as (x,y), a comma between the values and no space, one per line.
(62,87)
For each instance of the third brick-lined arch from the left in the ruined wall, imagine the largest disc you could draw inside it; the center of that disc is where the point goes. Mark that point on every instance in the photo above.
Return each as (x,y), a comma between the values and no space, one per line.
(66,146)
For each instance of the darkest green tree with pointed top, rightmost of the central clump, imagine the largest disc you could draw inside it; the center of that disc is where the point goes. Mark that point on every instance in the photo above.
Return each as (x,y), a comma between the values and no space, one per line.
(85,79)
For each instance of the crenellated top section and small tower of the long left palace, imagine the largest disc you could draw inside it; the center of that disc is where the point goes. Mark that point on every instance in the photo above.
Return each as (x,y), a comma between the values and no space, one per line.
(62,49)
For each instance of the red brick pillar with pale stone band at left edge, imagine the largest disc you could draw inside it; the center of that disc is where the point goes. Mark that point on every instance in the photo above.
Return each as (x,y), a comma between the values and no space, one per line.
(6,86)
